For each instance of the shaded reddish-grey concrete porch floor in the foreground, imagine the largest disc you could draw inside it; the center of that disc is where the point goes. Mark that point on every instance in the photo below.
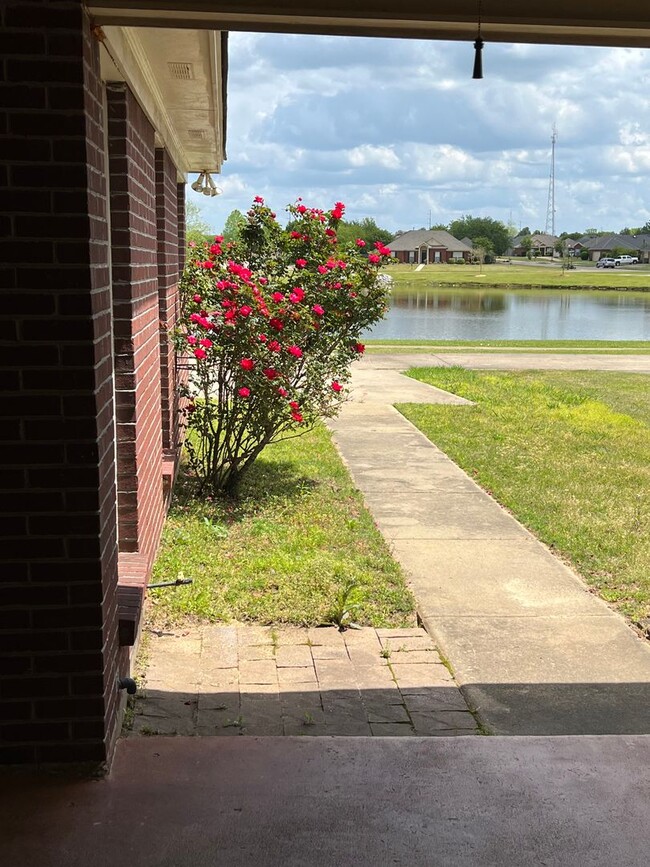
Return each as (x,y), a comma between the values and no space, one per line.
(334,802)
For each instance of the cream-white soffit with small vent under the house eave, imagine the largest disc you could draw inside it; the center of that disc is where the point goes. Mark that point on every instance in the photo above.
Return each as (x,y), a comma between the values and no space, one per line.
(176,76)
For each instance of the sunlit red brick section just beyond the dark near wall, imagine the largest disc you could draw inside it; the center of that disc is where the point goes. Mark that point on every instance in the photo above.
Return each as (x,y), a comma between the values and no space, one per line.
(136,323)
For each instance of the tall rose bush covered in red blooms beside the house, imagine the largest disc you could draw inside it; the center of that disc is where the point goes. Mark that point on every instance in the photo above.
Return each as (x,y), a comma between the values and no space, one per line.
(272,323)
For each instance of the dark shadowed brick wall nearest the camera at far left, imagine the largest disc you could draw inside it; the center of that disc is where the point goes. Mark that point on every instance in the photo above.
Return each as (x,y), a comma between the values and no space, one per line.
(58,629)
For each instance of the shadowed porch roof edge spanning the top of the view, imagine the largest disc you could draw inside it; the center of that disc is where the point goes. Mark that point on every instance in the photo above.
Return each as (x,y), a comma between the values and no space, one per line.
(582,22)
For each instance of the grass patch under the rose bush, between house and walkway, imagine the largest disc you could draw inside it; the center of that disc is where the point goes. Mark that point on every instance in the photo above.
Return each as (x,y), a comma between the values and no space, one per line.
(284,550)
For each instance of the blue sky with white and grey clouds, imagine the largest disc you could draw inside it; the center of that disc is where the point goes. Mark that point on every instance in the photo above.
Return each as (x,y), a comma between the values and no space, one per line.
(400,132)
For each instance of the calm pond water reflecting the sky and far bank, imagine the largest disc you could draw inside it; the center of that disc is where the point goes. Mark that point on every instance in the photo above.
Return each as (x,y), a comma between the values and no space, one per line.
(486,314)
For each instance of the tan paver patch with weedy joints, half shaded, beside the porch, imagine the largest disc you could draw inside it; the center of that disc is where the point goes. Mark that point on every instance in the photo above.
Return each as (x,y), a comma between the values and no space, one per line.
(250,680)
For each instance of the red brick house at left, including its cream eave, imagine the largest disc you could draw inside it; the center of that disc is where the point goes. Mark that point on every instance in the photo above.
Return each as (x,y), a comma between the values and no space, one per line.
(98,130)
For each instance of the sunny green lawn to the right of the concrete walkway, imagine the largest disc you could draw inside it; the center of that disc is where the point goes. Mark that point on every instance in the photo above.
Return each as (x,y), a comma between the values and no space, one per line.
(568,454)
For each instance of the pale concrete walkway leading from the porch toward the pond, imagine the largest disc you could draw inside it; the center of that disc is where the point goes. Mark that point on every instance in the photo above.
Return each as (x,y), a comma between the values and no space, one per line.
(535,652)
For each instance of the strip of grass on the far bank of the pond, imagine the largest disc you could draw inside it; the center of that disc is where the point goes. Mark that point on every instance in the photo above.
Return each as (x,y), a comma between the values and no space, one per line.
(519,275)
